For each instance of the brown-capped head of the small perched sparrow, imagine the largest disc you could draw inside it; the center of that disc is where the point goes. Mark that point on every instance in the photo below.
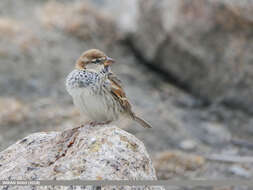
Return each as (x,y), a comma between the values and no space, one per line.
(93,59)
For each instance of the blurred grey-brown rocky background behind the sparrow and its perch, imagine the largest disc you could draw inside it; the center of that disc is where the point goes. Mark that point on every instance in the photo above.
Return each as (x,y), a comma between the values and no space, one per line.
(186,66)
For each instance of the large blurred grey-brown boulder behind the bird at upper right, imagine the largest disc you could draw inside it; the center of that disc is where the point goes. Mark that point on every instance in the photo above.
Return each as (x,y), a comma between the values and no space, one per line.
(204,45)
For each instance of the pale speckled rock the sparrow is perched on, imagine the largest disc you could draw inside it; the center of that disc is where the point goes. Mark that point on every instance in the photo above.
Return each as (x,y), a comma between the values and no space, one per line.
(94,153)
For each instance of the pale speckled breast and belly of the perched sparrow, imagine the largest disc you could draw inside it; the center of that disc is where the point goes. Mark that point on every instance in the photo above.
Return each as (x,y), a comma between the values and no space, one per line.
(91,95)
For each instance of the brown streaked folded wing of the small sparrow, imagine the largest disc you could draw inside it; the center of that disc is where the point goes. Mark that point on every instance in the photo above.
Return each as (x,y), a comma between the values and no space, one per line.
(118,92)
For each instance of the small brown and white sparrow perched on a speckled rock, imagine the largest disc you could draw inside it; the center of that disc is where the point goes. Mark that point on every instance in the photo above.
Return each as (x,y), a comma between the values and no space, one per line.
(97,92)
